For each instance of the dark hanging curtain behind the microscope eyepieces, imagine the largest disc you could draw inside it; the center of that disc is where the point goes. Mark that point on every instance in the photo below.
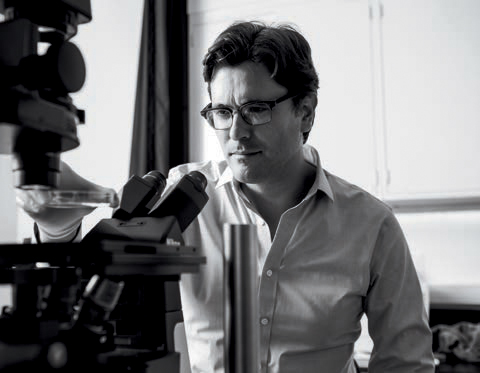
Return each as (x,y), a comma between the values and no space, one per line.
(160,128)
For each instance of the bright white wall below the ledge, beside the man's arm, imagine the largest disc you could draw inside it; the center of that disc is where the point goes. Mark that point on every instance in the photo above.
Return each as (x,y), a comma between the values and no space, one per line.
(447,245)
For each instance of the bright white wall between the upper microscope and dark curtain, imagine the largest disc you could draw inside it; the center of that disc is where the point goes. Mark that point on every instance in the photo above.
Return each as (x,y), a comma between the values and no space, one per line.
(110,44)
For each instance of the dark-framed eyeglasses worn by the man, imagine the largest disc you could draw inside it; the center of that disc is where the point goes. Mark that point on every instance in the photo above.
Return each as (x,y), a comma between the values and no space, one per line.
(254,113)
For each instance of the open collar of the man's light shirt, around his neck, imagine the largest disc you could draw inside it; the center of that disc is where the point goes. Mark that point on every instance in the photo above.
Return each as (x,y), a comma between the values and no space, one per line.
(311,156)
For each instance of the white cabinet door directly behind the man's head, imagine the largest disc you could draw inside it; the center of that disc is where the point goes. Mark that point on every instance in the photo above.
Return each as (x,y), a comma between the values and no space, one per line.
(339,34)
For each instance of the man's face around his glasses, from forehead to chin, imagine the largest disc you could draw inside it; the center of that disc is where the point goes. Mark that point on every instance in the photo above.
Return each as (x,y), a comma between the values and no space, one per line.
(264,153)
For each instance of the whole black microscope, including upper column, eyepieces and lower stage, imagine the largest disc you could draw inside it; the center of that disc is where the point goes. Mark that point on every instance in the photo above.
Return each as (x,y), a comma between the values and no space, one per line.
(110,302)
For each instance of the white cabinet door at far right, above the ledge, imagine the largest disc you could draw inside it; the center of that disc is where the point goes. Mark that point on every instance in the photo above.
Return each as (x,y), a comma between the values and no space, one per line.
(431,56)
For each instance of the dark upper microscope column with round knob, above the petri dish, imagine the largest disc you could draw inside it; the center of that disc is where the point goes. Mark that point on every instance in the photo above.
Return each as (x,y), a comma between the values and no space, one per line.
(38,120)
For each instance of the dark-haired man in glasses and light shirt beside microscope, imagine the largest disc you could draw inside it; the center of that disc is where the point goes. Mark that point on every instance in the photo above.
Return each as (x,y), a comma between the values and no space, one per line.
(329,251)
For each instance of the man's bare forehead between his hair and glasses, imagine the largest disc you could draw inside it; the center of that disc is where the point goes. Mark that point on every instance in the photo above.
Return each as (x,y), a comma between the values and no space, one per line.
(244,82)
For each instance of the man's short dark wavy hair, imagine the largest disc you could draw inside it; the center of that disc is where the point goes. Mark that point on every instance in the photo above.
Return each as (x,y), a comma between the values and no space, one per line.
(281,48)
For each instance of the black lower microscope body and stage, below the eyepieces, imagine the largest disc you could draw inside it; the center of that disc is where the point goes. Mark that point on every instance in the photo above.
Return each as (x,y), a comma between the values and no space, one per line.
(108,303)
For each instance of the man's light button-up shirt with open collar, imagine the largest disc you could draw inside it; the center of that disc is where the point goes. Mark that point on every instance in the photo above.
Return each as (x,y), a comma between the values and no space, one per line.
(338,254)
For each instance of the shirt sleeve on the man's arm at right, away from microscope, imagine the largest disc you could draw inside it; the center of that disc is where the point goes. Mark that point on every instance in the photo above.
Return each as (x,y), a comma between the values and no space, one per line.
(397,318)
